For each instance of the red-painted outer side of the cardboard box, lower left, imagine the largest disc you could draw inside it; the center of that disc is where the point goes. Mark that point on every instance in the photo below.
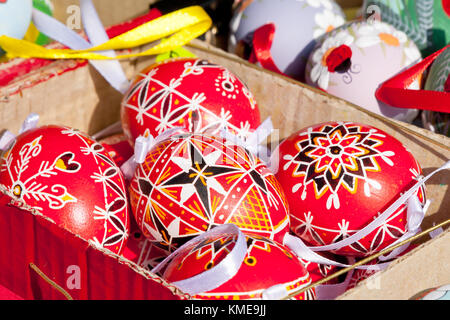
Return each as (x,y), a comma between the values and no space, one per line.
(44,261)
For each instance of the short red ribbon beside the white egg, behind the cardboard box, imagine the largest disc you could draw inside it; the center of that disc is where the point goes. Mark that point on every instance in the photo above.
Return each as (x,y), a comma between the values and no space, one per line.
(262,43)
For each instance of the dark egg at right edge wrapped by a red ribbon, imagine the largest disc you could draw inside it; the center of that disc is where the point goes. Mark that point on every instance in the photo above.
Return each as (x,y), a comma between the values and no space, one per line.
(438,79)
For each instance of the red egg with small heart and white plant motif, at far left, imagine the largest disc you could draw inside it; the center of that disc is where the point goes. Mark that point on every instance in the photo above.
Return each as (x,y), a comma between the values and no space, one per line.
(69,178)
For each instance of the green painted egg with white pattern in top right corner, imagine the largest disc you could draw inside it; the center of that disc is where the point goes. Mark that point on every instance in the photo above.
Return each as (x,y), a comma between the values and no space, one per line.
(426,22)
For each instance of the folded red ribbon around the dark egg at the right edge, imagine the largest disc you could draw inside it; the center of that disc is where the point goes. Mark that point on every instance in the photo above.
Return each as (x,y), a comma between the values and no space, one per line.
(393,92)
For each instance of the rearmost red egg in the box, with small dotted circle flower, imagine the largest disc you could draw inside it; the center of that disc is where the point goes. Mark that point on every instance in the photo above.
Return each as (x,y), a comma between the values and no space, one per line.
(195,94)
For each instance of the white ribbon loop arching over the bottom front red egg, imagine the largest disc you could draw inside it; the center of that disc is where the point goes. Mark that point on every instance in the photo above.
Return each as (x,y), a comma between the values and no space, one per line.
(221,272)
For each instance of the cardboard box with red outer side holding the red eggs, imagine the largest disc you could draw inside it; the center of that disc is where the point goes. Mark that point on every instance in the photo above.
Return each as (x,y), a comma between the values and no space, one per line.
(72,93)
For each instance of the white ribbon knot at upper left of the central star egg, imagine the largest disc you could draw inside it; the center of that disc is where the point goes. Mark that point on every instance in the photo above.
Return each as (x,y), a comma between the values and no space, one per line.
(142,146)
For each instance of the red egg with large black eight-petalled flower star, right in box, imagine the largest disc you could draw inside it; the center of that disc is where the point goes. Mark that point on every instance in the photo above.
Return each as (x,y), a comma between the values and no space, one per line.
(338,177)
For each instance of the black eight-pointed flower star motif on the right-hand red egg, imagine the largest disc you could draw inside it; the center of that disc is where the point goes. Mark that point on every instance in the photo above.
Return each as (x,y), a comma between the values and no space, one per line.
(338,156)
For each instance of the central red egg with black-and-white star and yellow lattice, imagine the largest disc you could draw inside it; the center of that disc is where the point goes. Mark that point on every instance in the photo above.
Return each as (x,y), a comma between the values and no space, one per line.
(191,183)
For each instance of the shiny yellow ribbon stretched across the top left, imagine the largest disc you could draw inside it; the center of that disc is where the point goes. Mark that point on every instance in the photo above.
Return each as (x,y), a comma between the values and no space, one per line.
(182,26)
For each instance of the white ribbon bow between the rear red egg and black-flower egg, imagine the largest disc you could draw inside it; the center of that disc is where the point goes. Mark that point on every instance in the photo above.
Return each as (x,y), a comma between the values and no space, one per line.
(253,142)
